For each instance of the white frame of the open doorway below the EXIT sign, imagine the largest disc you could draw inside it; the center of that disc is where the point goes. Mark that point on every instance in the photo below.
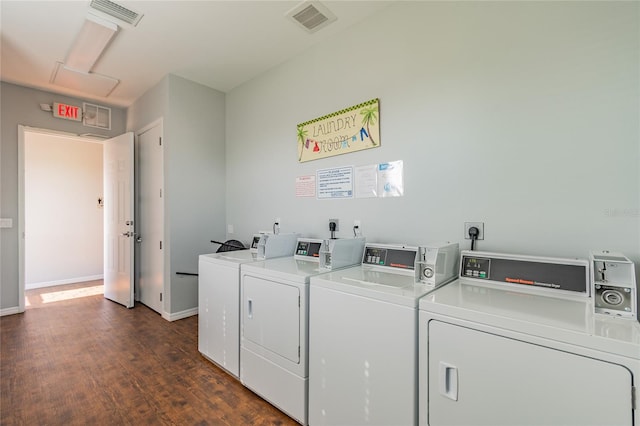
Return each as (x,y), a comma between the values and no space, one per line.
(22,130)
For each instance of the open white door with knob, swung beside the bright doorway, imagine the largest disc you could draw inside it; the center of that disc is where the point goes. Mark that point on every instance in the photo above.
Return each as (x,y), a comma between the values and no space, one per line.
(119,234)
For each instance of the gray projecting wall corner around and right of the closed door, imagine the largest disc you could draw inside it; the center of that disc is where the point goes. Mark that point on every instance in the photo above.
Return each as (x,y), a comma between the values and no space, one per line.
(194,173)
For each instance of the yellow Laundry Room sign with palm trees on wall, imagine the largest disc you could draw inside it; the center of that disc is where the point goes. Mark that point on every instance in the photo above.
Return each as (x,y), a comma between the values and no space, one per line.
(348,130)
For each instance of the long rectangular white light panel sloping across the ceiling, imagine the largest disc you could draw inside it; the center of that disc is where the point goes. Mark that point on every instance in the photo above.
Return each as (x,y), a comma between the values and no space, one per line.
(95,35)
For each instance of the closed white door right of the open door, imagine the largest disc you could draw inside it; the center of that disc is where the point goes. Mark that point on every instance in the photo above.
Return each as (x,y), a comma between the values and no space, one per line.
(151,218)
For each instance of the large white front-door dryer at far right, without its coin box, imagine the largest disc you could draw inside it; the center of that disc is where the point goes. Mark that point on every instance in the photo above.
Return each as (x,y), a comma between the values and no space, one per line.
(515,341)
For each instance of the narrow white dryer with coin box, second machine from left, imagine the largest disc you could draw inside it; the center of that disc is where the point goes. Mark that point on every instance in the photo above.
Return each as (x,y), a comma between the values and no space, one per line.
(274,322)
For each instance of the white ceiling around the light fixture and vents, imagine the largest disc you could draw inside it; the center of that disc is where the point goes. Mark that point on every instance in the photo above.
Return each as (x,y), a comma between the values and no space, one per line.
(220,44)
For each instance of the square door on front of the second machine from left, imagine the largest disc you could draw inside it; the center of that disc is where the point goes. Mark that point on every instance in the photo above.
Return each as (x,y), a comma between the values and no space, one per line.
(271,318)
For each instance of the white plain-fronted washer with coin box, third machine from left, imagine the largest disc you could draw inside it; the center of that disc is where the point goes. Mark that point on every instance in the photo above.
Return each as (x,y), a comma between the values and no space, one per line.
(363,332)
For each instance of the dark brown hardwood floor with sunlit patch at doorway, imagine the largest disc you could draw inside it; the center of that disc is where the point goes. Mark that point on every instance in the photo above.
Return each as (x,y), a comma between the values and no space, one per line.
(87,360)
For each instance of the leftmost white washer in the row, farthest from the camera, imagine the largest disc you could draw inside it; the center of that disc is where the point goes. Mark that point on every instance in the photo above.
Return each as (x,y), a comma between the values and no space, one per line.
(219,297)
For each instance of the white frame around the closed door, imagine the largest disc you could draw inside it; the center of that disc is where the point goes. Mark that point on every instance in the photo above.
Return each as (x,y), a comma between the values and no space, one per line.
(166,274)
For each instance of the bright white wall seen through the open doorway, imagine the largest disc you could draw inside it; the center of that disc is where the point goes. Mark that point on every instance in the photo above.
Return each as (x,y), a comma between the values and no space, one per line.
(63,223)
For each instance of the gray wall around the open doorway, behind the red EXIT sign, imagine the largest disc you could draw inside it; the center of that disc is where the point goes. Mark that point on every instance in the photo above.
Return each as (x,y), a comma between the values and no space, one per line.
(20,106)
